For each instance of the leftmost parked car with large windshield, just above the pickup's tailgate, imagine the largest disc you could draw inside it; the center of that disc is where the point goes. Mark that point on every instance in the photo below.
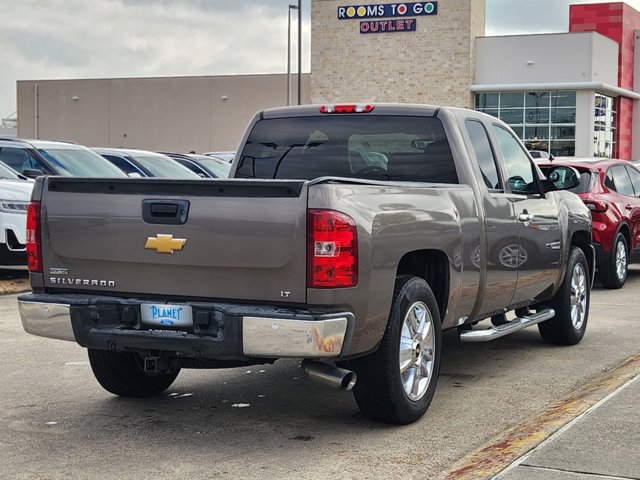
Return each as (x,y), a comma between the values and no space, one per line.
(33,158)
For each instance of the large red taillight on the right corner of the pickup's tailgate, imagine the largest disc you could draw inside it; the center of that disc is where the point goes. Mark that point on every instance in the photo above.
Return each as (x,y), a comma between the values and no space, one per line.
(332,250)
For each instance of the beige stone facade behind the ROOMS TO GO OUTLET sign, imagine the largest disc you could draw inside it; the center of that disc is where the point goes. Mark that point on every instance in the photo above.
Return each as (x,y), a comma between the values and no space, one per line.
(434,64)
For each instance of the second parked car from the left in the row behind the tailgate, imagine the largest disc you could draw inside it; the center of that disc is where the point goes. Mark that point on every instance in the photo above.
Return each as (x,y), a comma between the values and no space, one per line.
(141,163)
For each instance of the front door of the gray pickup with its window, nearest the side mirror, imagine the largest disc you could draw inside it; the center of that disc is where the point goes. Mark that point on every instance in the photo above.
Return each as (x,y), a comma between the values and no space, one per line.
(540,238)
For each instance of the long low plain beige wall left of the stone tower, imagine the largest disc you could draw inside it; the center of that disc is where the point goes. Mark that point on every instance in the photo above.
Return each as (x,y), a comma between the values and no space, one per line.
(170,113)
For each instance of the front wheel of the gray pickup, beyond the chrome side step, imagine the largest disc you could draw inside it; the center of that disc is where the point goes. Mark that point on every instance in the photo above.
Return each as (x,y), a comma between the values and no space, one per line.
(571,304)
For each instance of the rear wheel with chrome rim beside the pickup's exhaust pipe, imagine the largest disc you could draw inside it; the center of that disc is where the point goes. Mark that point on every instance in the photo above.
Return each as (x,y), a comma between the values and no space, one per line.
(380,391)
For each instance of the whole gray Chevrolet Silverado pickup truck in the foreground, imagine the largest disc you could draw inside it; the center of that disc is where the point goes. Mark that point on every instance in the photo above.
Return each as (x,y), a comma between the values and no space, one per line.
(349,236)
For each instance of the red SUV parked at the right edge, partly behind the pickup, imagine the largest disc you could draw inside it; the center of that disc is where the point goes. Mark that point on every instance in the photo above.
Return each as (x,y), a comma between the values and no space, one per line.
(611,190)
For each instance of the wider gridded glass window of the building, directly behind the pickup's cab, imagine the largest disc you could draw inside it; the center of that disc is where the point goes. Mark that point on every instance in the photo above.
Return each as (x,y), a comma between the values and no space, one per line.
(544,120)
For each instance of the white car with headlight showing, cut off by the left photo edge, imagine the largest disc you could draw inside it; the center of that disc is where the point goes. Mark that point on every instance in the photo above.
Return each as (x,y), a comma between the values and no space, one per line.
(15,193)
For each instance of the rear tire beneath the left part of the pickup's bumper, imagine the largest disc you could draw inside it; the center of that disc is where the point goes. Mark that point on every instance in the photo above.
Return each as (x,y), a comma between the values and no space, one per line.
(121,374)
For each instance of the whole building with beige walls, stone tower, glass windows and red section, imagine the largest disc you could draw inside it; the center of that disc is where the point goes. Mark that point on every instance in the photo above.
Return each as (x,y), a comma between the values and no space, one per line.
(573,93)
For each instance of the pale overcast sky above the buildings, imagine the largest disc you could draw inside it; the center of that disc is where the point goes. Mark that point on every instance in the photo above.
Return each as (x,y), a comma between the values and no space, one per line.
(52,39)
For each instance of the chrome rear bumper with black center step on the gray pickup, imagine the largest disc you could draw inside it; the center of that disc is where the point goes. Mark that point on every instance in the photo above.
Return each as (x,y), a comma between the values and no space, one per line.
(231,331)
